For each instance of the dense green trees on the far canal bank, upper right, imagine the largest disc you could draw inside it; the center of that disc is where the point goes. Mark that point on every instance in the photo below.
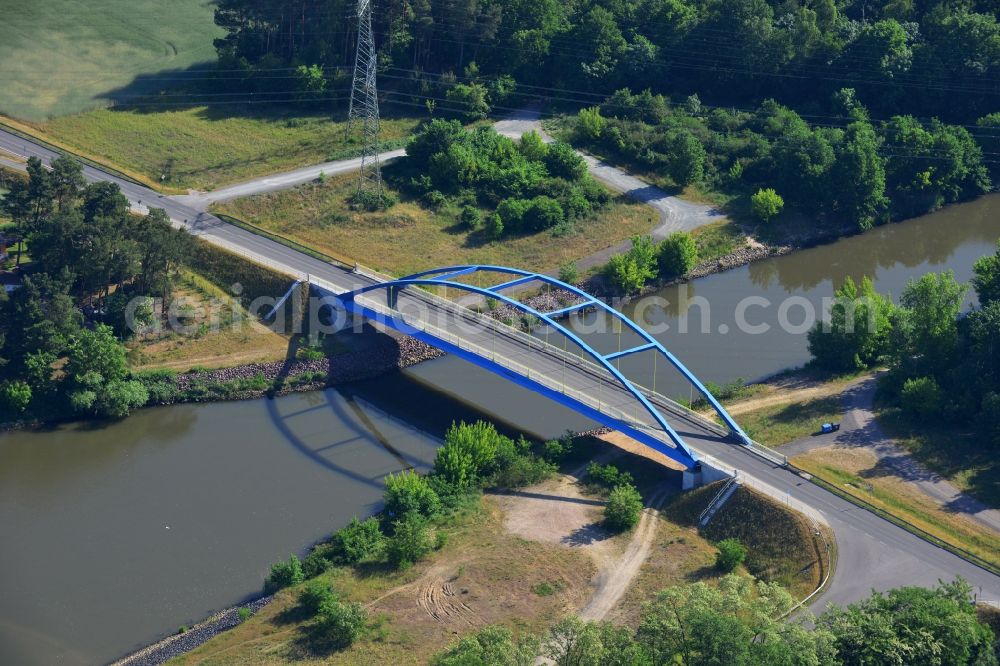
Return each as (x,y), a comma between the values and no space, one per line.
(862,172)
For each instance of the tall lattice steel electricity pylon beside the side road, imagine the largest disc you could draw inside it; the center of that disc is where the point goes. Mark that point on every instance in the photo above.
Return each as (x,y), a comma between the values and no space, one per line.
(364,102)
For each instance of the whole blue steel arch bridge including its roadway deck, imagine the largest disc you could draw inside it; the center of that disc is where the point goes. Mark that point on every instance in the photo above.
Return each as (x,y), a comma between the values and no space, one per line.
(574,374)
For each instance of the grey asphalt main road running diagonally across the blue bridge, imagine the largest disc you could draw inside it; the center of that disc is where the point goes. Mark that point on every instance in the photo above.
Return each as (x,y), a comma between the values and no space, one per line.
(873,553)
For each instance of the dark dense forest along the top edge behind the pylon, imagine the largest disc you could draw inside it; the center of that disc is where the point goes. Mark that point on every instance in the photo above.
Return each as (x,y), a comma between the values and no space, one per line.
(902,56)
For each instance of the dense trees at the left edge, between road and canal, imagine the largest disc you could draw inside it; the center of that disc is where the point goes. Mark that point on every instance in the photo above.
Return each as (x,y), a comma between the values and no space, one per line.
(94,256)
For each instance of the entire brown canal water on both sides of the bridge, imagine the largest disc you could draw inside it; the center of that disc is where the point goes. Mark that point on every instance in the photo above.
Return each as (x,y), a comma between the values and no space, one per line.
(114,535)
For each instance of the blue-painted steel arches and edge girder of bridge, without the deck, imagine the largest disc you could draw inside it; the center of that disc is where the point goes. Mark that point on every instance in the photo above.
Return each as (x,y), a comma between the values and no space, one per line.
(446,277)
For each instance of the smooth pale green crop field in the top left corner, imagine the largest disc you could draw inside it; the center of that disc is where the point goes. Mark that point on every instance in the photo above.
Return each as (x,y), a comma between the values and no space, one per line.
(64,56)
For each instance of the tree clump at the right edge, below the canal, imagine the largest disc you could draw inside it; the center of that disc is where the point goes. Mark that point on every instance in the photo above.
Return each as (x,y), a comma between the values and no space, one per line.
(945,364)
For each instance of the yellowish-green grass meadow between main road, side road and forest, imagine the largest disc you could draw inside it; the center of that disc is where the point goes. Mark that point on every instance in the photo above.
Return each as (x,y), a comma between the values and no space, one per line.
(202,147)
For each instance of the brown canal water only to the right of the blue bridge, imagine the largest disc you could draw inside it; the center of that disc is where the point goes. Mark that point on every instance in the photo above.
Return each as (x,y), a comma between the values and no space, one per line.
(706,334)
